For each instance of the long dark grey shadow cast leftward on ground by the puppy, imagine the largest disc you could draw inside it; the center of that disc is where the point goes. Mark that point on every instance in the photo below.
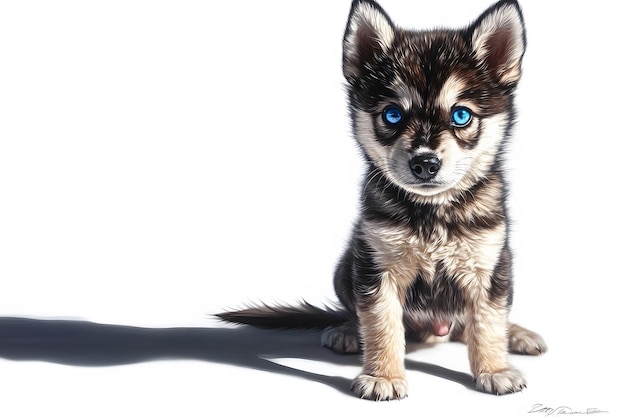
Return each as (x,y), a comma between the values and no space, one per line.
(81,343)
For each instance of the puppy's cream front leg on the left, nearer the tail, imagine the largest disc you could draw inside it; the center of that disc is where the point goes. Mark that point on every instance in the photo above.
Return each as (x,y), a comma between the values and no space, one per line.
(382,332)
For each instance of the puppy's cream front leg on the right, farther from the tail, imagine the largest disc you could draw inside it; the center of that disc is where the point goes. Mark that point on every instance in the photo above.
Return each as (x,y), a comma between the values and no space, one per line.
(487,342)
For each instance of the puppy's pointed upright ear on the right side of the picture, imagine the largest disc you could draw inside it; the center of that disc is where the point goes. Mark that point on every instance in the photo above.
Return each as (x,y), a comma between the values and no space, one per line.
(499,40)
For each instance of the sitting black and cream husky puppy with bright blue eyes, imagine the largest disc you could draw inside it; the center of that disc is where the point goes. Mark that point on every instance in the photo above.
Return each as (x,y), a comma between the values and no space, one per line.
(429,256)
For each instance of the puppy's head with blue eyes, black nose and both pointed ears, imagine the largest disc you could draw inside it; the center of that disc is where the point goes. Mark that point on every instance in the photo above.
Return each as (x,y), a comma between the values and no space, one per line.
(431,108)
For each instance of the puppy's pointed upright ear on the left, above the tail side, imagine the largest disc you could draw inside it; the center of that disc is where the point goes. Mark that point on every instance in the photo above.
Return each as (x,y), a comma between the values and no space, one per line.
(369,33)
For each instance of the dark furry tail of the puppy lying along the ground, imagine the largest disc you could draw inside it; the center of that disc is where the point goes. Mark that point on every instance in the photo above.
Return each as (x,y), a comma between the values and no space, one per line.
(302,316)
